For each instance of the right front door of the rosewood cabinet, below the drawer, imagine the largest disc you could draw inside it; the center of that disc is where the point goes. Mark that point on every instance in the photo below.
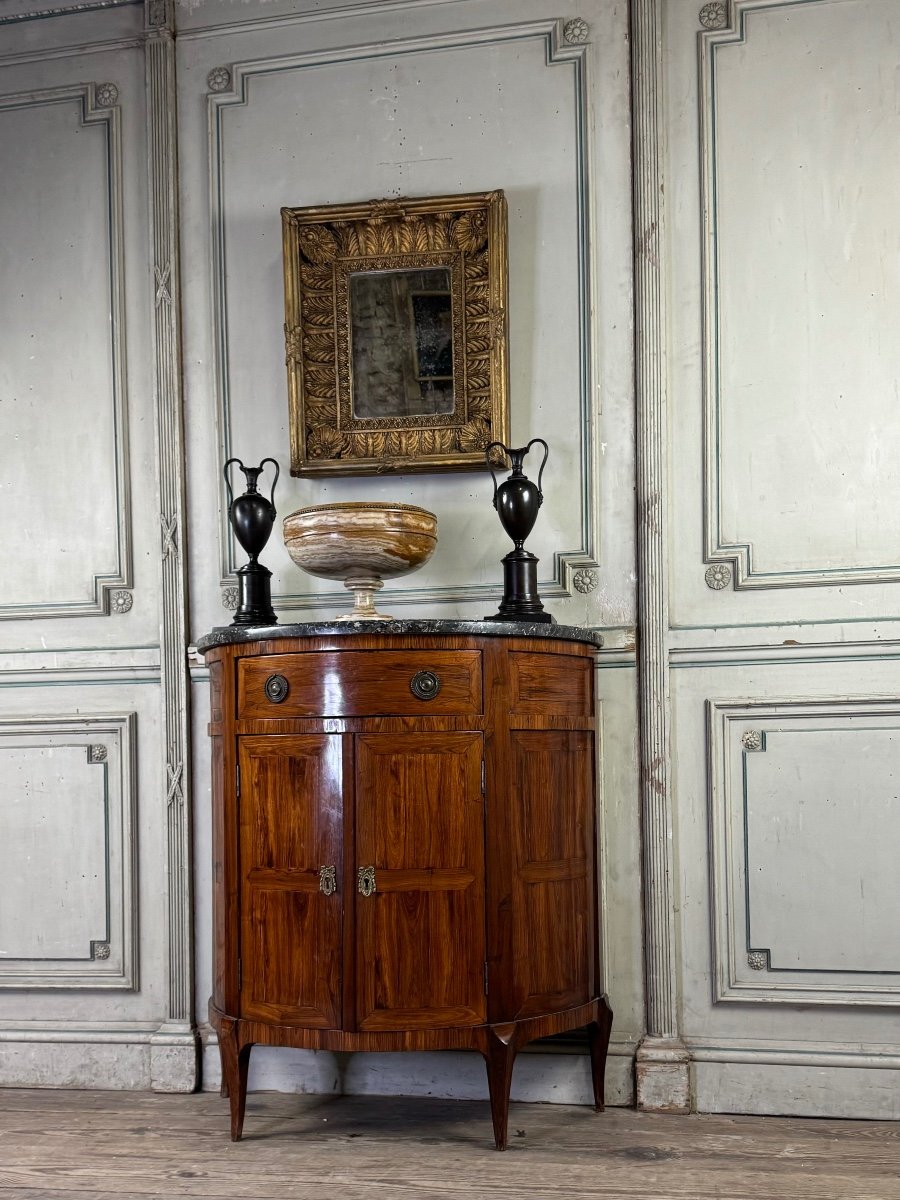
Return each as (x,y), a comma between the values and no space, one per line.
(422,935)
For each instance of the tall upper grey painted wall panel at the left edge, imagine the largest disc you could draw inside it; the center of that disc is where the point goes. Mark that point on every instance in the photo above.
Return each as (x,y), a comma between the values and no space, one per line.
(83,489)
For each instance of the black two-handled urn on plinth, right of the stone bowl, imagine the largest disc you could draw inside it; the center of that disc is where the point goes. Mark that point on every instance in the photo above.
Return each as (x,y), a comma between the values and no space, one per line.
(518,501)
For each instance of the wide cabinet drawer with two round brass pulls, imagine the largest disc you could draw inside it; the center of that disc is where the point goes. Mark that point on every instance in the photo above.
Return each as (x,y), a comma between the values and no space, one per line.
(361,683)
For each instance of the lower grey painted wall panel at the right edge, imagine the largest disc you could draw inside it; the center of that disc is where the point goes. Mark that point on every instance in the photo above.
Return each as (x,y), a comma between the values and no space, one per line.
(730,850)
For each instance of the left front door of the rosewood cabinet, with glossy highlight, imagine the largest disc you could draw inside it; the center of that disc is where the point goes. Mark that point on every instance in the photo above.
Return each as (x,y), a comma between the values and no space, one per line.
(291,817)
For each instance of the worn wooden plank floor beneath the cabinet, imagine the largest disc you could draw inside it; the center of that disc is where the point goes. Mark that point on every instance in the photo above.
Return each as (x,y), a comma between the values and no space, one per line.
(59,1145)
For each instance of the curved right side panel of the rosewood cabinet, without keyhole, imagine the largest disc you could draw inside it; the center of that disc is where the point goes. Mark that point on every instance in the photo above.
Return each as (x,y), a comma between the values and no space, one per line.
(553,789)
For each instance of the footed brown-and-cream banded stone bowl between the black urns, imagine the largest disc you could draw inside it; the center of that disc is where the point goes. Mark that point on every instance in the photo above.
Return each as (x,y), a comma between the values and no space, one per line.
(363,544)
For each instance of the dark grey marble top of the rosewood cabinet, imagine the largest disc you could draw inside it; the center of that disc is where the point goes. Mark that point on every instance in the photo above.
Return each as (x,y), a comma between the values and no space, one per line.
(229,635)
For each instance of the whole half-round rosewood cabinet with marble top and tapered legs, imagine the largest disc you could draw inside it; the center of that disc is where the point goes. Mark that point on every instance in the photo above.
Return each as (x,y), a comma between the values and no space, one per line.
(405,843)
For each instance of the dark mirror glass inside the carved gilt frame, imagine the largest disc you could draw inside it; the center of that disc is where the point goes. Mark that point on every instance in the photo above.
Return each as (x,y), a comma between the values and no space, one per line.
(401,344)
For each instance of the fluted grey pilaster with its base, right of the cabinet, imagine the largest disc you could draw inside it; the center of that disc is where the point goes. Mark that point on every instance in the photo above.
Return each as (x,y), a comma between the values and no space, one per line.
(663,1064)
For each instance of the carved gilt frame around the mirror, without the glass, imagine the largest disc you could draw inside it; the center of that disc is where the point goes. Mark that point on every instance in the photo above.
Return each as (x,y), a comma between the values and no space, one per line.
(325,248)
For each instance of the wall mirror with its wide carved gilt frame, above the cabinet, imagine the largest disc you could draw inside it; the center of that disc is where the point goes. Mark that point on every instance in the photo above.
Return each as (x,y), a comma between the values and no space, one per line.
(397,334)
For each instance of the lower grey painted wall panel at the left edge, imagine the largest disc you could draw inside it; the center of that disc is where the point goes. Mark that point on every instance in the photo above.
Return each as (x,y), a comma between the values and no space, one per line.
(62,709)
